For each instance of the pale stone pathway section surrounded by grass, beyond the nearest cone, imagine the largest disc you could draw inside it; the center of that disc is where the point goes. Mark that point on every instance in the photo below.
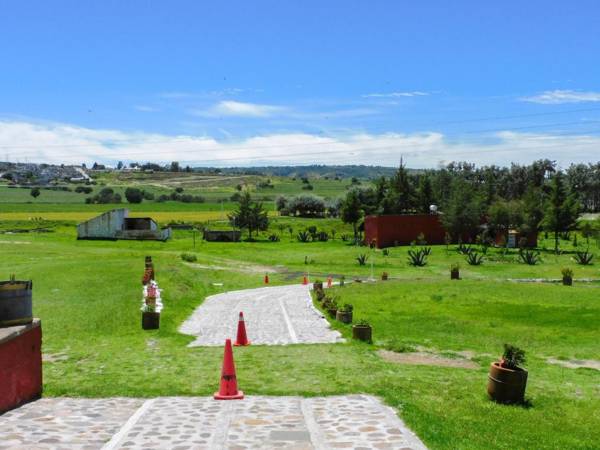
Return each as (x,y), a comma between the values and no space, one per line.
(274,316)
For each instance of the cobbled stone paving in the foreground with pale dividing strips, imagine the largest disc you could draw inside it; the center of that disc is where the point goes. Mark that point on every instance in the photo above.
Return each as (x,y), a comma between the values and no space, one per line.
(182,423)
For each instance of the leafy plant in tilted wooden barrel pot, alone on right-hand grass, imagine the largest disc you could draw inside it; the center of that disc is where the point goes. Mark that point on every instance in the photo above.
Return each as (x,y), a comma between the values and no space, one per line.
(507,380)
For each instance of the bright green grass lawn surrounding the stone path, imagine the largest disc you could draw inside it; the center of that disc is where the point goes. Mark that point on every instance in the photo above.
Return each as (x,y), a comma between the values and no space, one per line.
(88,294)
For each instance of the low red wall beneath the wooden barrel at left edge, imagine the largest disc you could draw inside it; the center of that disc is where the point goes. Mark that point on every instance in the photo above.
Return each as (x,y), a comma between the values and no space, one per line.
(20,364)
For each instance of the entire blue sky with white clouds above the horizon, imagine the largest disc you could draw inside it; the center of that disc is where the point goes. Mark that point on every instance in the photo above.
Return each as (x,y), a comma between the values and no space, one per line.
(225,83)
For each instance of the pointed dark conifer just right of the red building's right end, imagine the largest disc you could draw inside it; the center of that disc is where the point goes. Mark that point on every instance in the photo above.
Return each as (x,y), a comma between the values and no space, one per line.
(561,210)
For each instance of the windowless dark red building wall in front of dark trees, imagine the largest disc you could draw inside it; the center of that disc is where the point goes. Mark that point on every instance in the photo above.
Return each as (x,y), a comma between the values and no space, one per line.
(387,231)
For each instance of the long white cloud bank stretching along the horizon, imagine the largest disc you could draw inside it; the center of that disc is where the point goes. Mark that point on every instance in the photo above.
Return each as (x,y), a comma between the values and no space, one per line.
(63,143)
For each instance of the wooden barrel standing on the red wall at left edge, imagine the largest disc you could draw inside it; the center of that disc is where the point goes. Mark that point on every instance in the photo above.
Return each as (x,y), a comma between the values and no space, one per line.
(15,303)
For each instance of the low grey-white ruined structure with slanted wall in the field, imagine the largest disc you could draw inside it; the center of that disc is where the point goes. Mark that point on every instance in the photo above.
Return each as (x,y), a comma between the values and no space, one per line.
(116,224)
